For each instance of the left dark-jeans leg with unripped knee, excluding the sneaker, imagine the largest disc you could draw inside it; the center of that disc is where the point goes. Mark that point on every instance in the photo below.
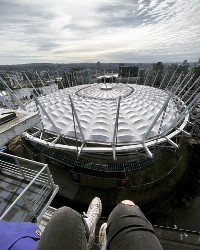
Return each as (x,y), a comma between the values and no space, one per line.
(65,231)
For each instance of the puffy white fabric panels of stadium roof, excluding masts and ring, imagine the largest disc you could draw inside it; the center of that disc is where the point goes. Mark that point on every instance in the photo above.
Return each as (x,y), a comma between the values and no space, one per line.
(96,109)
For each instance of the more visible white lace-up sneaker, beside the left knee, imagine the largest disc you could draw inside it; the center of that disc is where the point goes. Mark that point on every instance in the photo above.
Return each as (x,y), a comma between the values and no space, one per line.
(91,217)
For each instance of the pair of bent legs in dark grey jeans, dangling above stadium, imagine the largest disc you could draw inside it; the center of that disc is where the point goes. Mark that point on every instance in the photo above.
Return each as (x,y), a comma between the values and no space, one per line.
(127,228)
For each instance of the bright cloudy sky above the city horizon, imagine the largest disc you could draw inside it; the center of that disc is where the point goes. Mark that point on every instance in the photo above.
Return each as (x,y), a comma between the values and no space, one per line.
(67,31)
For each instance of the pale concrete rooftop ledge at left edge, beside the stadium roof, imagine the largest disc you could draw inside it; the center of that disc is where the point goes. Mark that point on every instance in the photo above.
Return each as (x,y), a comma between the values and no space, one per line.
(18,125)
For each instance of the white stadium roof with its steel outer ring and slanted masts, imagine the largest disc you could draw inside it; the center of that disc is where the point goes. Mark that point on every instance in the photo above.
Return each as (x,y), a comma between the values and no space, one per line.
(112,118)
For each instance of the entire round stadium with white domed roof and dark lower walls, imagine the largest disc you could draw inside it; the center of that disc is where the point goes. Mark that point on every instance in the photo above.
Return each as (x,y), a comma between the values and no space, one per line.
(117,139)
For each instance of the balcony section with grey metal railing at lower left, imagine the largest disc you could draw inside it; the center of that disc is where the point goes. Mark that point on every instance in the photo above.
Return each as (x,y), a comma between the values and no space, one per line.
(33,188)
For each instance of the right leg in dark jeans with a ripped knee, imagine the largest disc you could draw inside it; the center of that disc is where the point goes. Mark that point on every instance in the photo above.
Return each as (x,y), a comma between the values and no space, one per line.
(128,228)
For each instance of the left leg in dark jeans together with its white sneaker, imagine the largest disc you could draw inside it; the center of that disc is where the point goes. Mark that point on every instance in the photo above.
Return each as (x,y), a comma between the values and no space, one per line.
(69,230)
